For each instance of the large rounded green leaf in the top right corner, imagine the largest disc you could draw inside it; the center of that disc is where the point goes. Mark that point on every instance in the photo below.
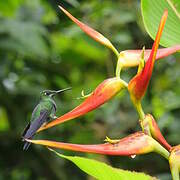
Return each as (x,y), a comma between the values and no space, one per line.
(152,11)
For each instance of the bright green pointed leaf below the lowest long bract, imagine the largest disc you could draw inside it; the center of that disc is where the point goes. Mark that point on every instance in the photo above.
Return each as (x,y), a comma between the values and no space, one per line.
(103,171)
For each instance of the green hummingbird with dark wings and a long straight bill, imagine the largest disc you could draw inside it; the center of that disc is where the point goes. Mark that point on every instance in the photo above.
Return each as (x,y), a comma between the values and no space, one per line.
(42,113)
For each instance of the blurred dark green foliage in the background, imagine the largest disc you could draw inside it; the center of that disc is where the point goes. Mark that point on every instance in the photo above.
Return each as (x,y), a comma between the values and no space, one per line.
(40,49)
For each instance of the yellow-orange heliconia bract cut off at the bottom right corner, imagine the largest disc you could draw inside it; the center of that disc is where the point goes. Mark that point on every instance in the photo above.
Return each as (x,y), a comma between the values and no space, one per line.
(174,162)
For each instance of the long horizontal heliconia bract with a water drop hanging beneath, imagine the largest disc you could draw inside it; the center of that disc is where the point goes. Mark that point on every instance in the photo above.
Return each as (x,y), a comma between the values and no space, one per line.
(134,144)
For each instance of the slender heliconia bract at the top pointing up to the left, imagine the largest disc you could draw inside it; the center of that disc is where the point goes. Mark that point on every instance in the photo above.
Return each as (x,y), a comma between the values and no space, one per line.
(91,32)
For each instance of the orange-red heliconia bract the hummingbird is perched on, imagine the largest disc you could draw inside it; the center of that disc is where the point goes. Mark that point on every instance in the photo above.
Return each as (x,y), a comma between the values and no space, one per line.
(103,93)
